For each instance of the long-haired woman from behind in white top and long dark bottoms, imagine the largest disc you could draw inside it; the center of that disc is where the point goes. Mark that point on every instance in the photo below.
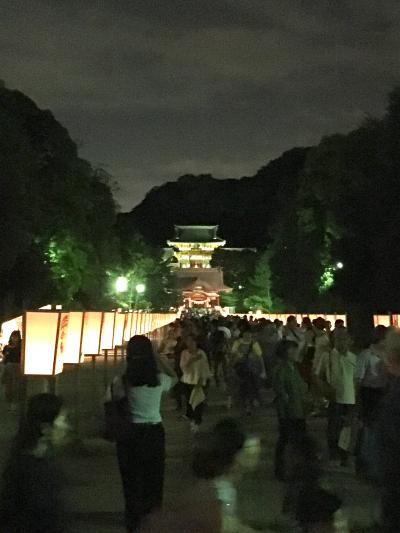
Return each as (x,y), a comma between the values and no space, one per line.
(141,455)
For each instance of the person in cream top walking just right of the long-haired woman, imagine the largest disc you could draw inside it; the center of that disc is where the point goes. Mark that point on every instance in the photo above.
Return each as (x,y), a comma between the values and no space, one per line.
(195,374)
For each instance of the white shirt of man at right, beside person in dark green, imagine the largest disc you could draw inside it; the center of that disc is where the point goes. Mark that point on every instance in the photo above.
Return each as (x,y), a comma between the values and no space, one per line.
(342,374)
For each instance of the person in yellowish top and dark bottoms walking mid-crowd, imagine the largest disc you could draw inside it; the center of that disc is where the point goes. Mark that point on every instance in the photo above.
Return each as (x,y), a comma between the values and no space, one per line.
(249,368)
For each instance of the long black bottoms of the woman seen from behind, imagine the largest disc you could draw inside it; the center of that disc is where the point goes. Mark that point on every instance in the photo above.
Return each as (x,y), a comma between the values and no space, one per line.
(141,459)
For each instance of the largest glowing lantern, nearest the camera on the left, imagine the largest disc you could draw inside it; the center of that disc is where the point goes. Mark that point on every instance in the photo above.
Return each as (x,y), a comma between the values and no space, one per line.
(40,355)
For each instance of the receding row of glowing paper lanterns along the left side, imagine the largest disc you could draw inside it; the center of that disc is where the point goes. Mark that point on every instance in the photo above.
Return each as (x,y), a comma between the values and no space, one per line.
(51,339)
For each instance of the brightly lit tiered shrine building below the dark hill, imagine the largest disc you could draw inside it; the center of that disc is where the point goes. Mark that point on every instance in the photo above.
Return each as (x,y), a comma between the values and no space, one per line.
(198,282)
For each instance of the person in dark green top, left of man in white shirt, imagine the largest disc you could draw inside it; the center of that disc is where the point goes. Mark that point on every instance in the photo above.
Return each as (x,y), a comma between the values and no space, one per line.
(291,393)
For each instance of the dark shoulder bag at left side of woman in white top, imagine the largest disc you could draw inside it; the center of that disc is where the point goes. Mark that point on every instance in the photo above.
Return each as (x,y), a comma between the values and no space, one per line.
(118,425)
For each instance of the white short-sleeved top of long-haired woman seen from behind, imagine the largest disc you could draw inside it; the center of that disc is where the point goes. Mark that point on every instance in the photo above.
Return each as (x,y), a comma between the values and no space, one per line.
(145,402)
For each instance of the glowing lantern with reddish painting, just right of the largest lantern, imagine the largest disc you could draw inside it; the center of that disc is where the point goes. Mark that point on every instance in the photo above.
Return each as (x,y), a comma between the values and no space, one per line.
(70,337)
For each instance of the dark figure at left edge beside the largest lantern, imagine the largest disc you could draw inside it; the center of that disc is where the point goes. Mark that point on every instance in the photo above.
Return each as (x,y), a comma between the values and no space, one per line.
(11,378)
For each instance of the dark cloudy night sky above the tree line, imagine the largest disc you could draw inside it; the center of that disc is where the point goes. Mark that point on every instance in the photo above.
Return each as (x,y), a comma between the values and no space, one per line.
(155,89)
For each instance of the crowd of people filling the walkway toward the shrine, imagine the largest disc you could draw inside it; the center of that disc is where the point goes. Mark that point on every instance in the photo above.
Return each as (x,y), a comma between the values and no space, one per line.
(300,370)
